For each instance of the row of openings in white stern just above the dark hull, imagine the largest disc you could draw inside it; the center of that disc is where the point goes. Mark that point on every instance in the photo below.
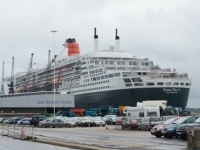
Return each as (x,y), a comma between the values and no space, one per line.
(159,83)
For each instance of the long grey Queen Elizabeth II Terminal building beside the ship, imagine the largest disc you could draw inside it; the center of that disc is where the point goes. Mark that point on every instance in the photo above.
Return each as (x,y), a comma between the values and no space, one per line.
(35,103)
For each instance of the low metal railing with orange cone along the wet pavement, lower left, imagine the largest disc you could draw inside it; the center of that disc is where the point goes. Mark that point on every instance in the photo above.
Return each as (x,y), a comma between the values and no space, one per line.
(22,132)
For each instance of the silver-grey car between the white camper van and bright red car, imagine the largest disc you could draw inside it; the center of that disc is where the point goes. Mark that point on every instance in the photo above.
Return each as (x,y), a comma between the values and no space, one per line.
(148,123)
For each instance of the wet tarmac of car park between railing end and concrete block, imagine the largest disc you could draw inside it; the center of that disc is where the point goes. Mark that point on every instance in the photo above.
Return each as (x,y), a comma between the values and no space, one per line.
(104,139)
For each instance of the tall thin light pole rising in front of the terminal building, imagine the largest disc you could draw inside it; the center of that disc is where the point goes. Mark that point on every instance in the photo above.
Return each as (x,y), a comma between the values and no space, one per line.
(54,69)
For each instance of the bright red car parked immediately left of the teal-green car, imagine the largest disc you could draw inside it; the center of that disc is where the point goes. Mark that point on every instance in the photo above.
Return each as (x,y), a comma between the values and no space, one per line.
(157,129)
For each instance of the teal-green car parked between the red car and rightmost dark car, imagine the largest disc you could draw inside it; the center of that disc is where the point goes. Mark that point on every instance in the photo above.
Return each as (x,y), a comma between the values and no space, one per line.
(169,131)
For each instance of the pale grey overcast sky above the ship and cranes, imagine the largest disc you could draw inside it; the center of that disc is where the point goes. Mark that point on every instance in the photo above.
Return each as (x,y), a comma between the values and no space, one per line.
(165,31)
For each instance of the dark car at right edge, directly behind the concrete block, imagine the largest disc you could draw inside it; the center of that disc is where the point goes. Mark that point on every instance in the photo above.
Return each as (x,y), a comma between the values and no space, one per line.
(182,129)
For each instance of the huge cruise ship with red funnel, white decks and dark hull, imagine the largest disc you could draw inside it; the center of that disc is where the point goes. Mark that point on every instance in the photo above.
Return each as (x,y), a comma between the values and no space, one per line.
(106,77)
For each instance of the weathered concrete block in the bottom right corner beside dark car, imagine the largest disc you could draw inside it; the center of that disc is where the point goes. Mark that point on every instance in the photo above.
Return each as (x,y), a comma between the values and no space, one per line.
(193,138)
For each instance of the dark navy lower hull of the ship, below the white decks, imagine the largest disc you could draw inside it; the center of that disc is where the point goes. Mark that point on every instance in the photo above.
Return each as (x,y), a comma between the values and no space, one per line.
(177,97)
